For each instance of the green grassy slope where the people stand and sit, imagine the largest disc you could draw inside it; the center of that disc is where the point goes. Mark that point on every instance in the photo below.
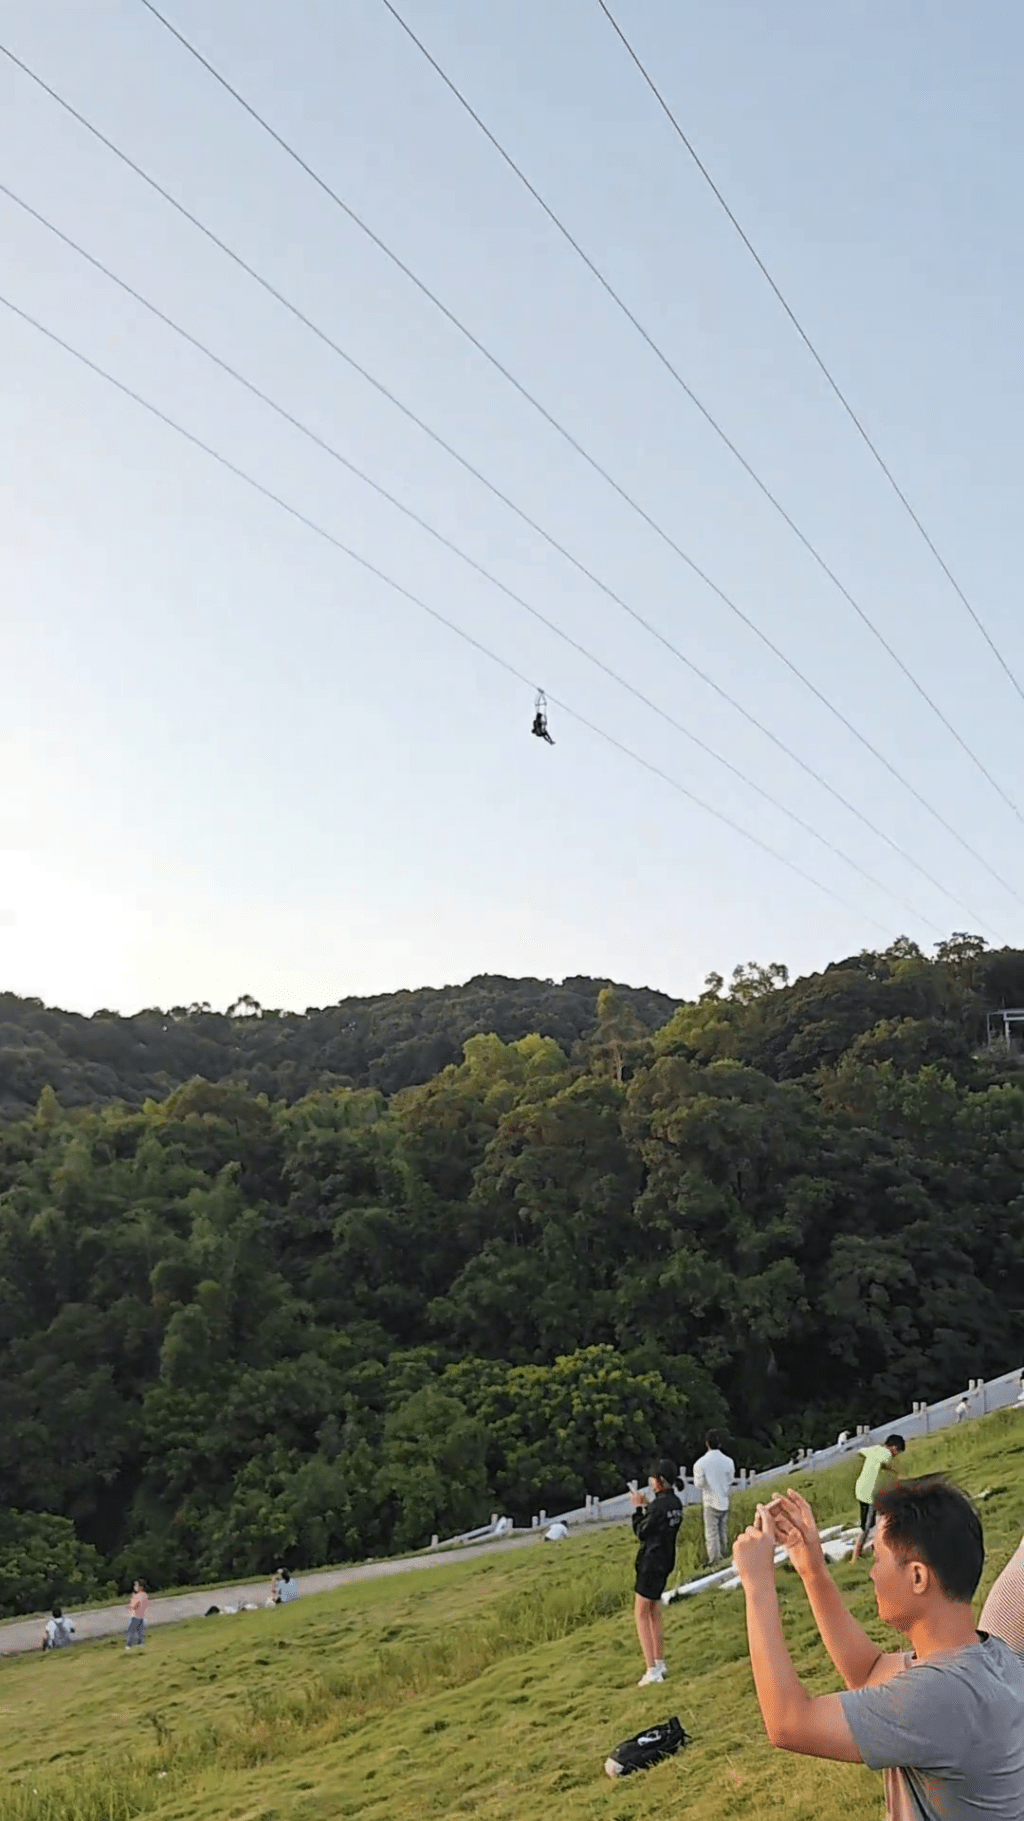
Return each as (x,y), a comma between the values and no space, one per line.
(489,1691)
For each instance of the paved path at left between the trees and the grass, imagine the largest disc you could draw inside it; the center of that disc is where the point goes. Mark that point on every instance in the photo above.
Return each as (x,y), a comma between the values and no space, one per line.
(112,1620)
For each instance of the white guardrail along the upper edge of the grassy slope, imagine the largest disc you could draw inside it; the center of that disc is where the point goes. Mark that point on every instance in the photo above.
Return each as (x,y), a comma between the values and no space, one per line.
(925,1419)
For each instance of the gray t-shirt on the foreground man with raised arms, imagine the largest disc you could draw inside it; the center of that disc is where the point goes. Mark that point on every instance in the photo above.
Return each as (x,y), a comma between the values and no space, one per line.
(948,1735)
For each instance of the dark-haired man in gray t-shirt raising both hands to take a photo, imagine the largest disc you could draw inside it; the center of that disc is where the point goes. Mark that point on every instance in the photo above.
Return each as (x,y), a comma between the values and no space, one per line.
(945,1720)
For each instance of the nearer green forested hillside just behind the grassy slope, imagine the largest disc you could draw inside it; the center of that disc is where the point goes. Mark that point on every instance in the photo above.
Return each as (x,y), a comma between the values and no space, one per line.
(236,1330)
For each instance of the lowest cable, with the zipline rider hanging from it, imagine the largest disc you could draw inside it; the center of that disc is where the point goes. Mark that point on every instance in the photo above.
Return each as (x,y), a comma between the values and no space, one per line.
(407,595)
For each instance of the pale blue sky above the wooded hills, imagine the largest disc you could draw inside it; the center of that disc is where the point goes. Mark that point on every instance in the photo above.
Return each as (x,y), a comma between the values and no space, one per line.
(232,762)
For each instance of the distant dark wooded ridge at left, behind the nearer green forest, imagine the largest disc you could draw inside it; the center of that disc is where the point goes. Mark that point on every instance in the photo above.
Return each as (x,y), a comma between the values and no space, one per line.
(389,1043)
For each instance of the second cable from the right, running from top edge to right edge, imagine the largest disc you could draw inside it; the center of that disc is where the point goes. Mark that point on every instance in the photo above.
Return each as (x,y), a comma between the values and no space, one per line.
(704,411)
